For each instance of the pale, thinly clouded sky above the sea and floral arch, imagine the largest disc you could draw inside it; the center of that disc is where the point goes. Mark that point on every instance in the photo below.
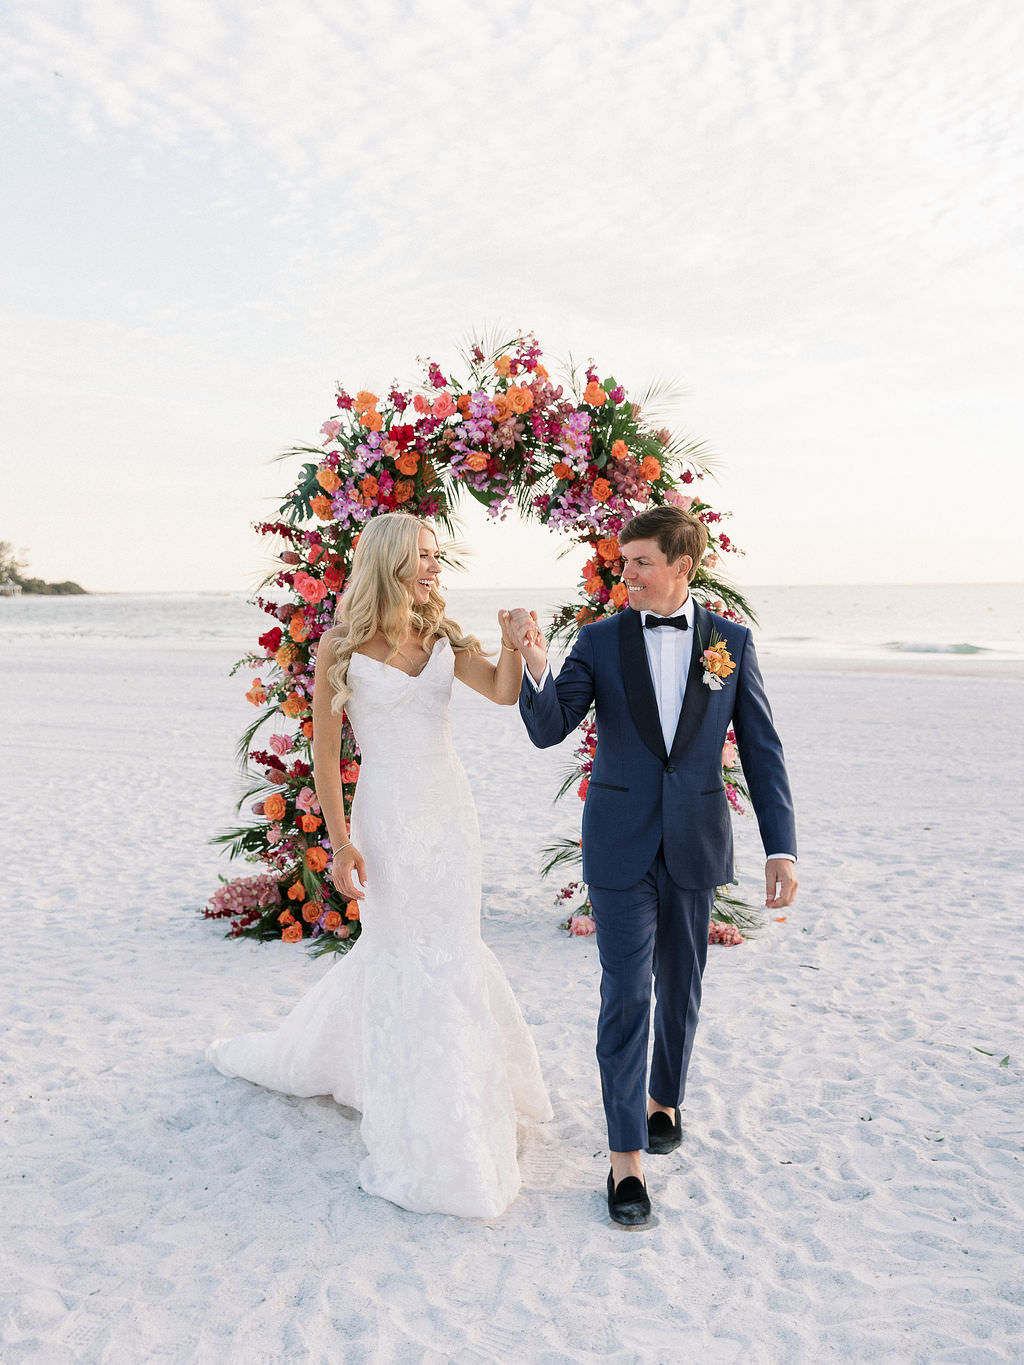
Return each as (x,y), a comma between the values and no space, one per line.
(805,214)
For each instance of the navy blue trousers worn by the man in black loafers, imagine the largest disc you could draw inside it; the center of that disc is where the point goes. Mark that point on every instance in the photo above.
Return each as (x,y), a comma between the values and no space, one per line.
(655,932)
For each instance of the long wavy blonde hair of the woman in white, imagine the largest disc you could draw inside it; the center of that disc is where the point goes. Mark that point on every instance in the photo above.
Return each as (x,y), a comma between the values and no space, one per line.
(378,599)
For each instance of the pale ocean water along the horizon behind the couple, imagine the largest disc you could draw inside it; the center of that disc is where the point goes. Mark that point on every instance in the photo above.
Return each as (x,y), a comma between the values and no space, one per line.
(854,623)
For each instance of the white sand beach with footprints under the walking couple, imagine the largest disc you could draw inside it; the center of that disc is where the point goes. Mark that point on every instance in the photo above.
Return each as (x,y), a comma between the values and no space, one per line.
(850,1186)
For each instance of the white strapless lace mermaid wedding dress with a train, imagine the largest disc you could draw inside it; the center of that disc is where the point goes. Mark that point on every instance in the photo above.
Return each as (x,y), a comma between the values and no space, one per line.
(417,1027)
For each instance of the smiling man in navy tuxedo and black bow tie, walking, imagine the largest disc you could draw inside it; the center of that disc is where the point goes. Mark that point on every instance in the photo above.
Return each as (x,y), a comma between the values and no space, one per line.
(668,679)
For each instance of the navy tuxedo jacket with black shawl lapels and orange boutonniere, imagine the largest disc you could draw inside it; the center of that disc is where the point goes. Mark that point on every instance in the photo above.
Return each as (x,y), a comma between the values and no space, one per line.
(640,796)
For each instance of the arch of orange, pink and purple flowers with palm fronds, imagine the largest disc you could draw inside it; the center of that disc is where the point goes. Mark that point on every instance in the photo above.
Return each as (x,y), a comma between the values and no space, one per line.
(580,458)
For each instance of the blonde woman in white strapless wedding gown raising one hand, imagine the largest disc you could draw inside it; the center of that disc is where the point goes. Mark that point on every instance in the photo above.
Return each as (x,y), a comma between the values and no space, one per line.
(417,1027)
